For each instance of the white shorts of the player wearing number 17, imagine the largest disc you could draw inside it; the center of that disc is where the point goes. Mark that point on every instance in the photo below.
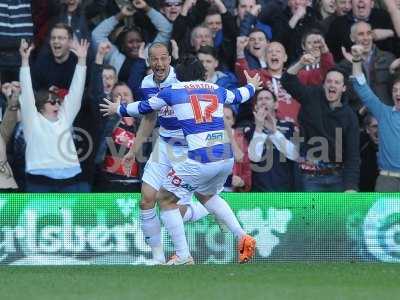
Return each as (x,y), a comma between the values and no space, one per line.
(190,176)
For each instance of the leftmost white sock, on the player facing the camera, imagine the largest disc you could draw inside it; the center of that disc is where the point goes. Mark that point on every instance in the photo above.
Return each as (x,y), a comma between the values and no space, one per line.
(151,228)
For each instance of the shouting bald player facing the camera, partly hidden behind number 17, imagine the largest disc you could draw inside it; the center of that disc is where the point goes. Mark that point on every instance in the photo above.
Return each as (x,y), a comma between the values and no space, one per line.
(171,142)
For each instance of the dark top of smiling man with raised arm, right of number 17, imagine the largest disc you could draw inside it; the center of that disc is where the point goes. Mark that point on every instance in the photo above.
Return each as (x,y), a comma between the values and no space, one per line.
(318,121)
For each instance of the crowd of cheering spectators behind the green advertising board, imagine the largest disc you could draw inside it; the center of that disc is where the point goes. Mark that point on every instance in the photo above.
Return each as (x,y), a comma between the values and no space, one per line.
(326,119)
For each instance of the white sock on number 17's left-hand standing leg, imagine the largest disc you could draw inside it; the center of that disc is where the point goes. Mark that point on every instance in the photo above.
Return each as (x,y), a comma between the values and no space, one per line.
(173,223)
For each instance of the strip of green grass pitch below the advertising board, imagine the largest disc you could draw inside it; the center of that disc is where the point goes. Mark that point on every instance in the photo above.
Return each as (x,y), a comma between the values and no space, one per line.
(278,281)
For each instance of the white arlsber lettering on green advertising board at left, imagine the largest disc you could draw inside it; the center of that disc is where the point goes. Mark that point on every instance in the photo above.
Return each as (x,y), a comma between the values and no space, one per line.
(67,238)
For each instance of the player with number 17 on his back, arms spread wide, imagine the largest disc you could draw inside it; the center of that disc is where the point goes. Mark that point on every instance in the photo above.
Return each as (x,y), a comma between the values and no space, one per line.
(198,106)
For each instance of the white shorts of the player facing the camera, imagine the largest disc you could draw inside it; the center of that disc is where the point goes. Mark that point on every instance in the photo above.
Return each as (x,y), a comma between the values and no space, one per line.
(163,157)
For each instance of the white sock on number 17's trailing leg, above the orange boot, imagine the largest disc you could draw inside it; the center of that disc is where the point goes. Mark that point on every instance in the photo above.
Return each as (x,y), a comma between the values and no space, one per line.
(218,207)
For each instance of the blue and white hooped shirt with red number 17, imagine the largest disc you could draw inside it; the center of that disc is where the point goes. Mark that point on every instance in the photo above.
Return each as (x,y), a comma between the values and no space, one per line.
(198,107)
